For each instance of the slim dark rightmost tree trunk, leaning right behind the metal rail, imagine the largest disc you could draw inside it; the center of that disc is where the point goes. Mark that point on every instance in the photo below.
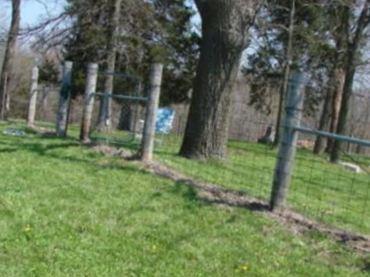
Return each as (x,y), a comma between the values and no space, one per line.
(352,51)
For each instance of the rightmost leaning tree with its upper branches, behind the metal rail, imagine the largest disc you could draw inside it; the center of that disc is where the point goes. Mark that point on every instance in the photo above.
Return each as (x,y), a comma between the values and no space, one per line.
(354,36)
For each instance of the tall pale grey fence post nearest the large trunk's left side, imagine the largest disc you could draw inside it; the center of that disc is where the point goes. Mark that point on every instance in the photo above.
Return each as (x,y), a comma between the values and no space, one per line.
(151,113)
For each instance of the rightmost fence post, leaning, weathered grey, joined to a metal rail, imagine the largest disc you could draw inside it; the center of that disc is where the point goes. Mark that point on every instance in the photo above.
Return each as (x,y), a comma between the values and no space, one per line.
(287,146)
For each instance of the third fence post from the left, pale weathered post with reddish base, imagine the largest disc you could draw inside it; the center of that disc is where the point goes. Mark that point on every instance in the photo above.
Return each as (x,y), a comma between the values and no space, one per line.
(90,90)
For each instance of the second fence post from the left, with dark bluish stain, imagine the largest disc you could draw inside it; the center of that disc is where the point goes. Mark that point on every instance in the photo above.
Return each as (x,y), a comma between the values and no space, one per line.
(64,100)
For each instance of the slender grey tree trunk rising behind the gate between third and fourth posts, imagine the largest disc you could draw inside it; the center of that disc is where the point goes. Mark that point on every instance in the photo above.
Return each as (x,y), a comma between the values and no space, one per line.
(105,111)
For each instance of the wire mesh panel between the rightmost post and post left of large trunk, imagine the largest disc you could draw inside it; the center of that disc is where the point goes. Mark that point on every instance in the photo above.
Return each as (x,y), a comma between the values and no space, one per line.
(249,165)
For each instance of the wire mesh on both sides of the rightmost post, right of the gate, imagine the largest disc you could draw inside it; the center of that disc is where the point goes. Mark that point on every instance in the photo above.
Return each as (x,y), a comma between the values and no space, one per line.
(334,194)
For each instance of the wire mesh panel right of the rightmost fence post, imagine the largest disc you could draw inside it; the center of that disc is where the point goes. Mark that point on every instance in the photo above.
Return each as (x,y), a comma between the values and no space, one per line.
(336,193)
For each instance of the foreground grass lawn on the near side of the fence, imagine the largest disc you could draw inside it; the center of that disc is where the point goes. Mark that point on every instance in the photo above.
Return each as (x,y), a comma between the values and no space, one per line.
(68,211)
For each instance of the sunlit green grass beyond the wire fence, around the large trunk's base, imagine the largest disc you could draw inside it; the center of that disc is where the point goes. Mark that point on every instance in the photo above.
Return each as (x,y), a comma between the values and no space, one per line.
(319,189)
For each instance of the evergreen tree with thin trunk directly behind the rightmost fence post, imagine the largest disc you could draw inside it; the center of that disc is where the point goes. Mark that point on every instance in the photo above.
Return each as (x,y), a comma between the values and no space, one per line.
(290,35)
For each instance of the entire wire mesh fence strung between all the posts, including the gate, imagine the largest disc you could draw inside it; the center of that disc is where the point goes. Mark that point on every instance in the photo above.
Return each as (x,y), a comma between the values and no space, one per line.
(336,194)
